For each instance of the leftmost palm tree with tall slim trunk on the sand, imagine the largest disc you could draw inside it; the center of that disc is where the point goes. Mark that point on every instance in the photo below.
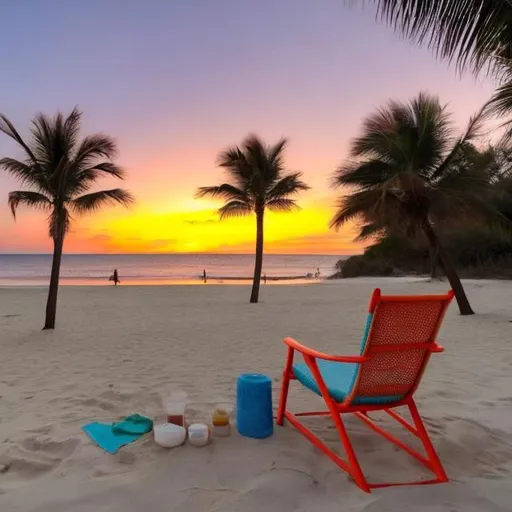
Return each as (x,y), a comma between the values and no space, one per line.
(57,170)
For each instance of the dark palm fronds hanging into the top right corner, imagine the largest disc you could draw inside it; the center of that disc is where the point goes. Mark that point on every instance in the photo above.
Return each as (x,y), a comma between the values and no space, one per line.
(476,33)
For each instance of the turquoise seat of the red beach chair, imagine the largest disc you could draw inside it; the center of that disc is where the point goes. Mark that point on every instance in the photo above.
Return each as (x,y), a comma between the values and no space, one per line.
(339,379)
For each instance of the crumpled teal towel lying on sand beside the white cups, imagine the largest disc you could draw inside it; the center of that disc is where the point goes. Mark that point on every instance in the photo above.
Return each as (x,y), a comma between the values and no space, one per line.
(113,436)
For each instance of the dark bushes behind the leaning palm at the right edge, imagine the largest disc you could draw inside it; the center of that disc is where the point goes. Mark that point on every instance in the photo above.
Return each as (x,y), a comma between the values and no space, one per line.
(477,248)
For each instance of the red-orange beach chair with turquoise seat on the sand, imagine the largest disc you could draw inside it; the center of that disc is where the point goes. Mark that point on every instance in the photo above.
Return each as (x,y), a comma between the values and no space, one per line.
(399,337)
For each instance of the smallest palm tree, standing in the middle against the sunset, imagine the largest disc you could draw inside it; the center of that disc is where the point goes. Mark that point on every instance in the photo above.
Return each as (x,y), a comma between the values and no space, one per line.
(257,182)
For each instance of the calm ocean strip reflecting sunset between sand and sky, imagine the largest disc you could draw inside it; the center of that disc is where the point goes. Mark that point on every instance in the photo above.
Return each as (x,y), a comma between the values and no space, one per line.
(95,269)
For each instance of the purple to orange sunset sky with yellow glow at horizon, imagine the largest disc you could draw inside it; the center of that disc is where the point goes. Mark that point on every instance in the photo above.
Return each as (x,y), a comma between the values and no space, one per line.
(177,81)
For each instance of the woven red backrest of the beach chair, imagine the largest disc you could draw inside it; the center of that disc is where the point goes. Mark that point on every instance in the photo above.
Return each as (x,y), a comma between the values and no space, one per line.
(396,339)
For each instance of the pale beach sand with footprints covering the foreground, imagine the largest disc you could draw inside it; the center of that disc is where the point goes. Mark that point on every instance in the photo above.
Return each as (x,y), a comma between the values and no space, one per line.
(116,350)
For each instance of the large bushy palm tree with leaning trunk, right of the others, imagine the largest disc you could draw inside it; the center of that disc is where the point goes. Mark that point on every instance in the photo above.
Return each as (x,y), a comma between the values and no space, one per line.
(410,173)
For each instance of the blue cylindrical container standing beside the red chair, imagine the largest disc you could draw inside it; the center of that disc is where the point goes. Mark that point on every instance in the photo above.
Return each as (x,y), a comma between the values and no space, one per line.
(254,405)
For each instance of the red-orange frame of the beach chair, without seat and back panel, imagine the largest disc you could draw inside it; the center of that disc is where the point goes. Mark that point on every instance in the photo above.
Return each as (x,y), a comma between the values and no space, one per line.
(361,411)
